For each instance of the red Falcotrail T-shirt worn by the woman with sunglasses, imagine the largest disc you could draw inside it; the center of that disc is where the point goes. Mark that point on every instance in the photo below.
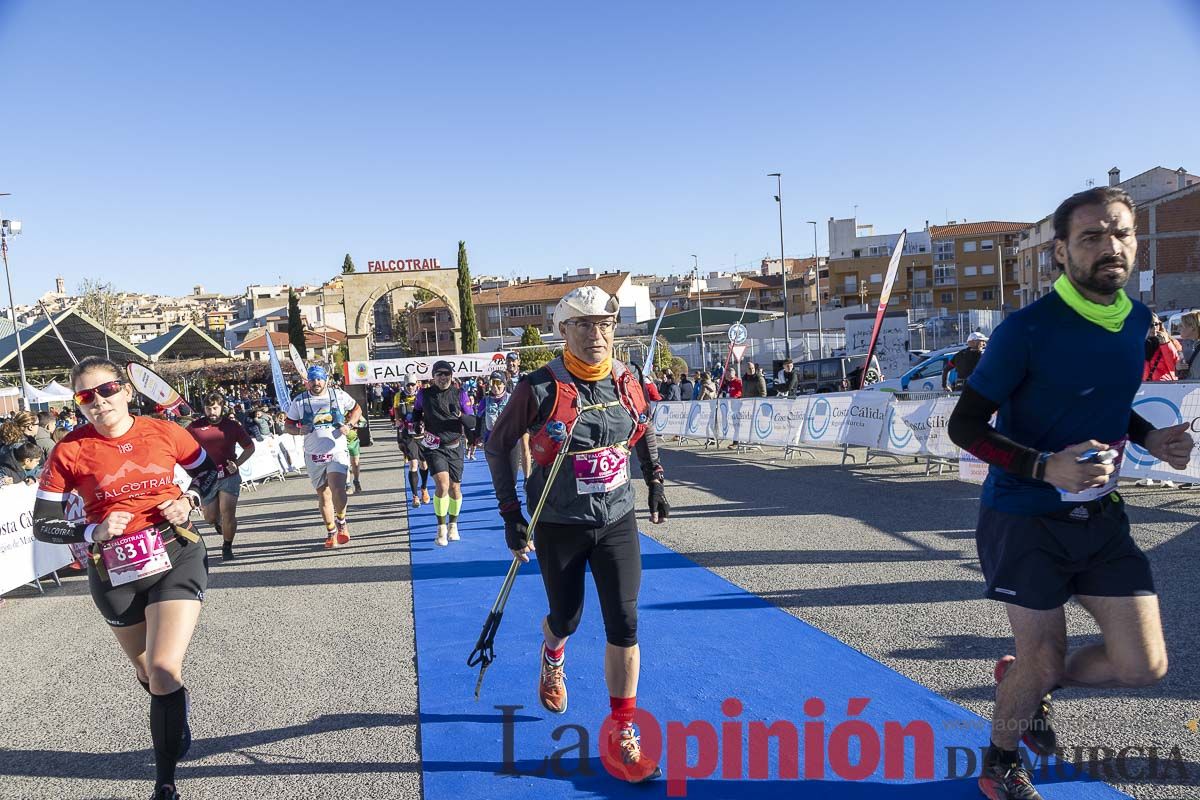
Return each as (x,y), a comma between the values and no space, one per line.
(131,473)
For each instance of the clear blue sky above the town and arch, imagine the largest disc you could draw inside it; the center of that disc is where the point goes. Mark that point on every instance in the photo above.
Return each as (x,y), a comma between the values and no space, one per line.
(165,145)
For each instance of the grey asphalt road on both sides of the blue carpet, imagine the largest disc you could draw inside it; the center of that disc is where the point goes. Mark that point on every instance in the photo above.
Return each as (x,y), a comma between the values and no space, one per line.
(302,670)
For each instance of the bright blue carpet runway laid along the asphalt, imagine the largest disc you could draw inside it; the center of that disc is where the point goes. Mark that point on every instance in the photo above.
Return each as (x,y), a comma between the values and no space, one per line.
(704,642)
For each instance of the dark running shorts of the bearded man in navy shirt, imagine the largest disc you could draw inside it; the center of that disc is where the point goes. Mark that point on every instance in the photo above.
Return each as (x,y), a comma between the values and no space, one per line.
(1041,563)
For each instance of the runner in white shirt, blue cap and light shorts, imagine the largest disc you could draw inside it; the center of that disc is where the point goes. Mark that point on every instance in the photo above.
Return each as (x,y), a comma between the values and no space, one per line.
(323,416)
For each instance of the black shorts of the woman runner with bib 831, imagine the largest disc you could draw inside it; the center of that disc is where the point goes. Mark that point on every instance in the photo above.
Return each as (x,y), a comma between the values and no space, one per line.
(127,605)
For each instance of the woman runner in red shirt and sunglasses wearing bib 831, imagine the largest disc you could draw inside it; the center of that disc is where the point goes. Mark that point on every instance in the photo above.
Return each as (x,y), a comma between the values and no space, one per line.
(148,569)
